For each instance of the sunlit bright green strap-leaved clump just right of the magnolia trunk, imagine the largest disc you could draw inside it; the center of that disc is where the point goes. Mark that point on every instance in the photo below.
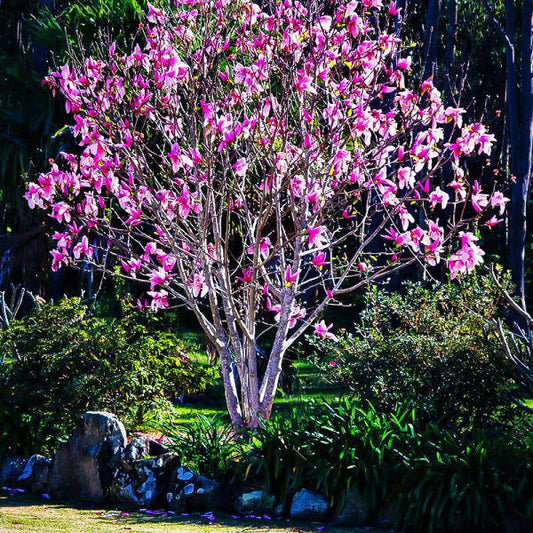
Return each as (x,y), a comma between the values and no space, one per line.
(332,448)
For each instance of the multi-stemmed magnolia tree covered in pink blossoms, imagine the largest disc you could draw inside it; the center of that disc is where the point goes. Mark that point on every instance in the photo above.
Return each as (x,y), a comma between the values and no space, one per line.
(257,163)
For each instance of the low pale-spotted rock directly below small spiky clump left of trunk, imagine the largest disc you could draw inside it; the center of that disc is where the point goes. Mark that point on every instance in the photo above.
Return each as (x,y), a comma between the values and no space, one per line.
(191,492)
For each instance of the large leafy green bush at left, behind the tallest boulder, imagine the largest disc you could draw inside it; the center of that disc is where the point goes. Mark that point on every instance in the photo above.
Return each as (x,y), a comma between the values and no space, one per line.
(60,361)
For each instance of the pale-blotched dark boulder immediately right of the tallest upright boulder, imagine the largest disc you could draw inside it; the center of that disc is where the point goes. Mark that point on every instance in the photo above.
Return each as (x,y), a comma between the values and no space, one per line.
(143,483)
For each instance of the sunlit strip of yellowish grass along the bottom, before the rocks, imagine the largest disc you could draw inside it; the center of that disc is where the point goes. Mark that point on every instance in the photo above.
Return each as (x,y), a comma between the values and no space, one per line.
(29,515)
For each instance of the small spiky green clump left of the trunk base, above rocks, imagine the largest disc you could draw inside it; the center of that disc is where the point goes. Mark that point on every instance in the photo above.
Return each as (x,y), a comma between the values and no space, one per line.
(206,444)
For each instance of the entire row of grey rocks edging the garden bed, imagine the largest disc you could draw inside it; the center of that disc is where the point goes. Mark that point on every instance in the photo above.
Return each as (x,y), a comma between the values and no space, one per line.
(98,465)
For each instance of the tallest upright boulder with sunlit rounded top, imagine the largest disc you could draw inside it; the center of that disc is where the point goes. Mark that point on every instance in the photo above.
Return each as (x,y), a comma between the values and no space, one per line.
(85,466)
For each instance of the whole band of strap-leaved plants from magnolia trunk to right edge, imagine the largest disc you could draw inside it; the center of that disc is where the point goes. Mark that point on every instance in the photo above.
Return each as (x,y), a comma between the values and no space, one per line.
(430,478)
